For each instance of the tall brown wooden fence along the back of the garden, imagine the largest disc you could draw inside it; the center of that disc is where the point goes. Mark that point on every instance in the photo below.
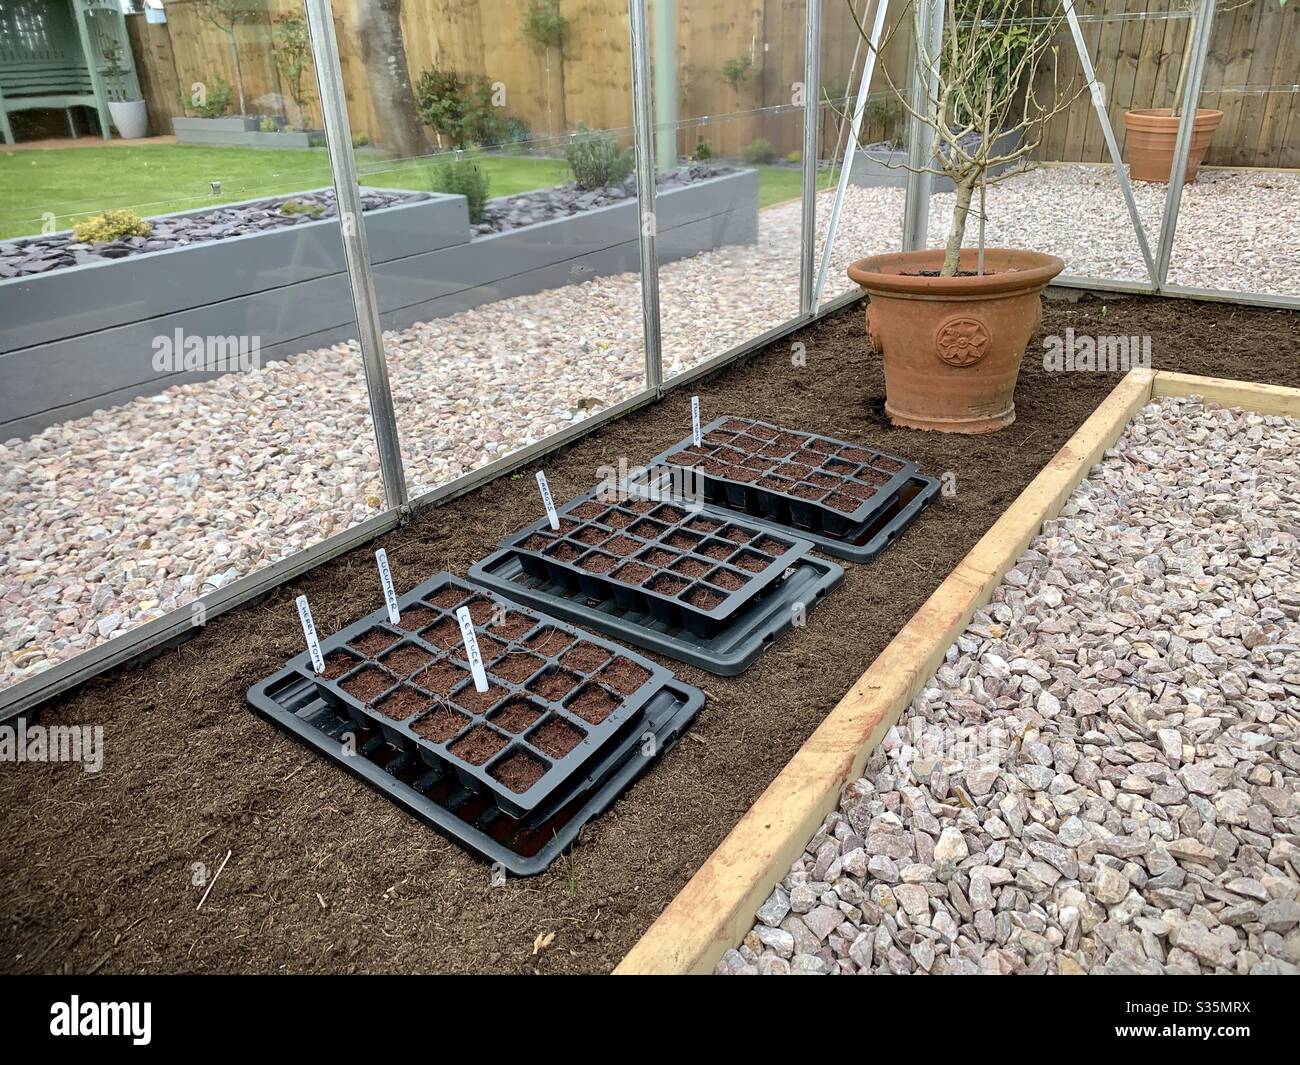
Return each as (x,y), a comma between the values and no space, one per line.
(1137,58)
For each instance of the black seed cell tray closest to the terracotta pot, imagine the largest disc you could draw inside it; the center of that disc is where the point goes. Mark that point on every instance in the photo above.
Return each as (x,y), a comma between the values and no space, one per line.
(791,478)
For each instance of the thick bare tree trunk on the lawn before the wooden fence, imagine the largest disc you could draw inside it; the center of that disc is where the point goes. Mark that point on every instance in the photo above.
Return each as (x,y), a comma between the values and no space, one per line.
(379,27)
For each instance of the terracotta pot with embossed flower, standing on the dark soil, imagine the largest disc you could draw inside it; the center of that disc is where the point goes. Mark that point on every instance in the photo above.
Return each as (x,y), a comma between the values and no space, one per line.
(954,345)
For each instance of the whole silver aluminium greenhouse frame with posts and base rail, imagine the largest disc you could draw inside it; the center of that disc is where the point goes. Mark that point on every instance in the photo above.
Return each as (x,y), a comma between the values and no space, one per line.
(174,629)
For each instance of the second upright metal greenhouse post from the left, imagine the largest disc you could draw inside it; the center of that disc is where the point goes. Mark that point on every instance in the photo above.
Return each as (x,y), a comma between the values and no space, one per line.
(644,144)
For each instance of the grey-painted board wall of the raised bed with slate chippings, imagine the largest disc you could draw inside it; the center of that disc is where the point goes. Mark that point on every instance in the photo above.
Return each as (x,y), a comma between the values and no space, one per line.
(83,339)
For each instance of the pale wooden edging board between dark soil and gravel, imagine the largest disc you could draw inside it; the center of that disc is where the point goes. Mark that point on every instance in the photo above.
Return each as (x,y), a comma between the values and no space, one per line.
(716,910)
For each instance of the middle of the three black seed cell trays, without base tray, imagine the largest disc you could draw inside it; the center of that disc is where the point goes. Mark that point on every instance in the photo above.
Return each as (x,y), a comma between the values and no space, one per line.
(668,560)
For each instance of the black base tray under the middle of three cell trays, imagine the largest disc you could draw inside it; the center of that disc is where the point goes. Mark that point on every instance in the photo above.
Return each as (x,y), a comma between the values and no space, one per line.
(726,653)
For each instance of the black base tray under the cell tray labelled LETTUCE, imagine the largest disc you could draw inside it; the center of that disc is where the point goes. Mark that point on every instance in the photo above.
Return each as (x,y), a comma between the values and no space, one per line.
(525,847)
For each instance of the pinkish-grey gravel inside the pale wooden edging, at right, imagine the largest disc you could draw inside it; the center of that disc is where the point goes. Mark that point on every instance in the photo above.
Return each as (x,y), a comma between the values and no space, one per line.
(1149,820)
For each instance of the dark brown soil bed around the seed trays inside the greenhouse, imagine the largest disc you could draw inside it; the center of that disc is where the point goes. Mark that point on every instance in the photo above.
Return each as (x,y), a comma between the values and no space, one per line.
(98,871)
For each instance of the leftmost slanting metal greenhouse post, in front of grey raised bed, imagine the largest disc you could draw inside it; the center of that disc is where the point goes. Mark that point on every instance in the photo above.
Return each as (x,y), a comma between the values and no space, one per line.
(339,138)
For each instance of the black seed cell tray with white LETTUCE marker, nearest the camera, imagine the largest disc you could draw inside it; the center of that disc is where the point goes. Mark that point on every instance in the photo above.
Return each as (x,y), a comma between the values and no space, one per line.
(556,696)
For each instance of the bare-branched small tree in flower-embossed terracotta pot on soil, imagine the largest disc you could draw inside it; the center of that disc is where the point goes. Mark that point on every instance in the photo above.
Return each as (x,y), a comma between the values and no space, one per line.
(952,323)
